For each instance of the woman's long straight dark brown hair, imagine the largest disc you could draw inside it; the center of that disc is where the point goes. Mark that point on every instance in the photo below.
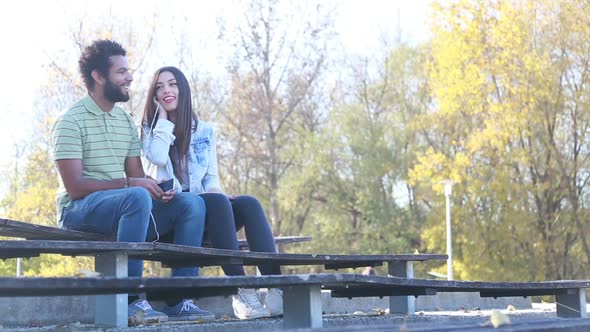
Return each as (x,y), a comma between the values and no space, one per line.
(185,117)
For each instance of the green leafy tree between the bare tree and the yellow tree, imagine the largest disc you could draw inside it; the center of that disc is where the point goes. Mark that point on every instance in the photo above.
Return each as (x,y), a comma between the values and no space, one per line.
(362,156)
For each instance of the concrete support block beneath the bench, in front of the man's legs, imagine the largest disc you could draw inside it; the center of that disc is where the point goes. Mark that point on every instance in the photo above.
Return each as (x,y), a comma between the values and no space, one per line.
(111,310)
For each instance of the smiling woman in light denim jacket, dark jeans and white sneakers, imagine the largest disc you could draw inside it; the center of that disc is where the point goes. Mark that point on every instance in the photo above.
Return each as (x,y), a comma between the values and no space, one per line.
(178,146)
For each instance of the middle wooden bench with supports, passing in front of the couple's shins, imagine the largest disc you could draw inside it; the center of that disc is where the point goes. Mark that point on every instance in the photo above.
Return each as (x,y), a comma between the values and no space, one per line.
(111,261)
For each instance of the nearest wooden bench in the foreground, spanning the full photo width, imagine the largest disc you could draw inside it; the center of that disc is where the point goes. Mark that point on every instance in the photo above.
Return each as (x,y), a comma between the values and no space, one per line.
(301,293)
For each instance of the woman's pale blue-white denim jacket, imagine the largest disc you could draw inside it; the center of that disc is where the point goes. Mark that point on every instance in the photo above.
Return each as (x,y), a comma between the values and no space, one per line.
(202,158)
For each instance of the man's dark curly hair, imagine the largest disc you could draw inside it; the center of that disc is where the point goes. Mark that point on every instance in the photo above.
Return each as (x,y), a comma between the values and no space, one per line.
(97,57)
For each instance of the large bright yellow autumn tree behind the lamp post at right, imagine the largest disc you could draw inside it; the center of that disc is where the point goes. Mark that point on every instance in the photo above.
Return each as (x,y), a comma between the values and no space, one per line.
(510,128)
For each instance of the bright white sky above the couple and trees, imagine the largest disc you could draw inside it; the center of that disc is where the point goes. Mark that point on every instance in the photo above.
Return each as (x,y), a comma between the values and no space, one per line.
(32,31)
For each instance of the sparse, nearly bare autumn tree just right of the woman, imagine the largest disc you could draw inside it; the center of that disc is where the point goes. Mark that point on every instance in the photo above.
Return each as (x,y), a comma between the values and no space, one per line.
(278,61)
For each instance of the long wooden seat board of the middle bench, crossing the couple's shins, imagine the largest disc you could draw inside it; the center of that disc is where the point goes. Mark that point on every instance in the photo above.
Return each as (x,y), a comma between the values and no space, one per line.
(179,256)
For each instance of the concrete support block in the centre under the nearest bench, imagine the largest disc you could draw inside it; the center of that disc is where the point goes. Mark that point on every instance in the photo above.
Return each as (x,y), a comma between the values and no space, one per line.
(302,307)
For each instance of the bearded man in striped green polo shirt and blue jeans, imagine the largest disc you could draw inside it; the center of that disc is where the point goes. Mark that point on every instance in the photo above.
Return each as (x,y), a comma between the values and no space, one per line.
(104,190)
